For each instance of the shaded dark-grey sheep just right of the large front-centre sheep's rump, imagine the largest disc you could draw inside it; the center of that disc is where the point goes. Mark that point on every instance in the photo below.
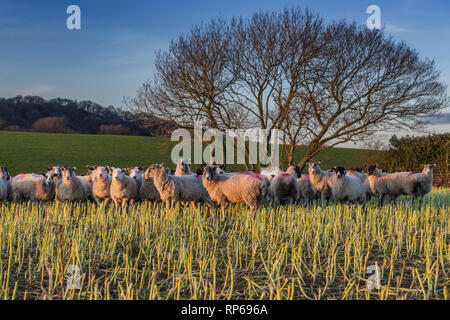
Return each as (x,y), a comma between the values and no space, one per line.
(284,186)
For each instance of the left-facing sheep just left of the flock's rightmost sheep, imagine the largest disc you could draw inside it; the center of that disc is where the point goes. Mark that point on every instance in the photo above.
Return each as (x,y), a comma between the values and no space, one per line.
(393,184)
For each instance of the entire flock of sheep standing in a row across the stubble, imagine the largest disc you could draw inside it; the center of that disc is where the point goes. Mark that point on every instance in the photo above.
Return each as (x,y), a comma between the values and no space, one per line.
(212,185)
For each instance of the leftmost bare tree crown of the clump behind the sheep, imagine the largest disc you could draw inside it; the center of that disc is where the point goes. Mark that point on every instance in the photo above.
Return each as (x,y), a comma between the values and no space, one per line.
(191,80)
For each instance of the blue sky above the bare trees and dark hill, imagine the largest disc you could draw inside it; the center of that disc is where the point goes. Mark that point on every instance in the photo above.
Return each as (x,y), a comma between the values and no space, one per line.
(113,53)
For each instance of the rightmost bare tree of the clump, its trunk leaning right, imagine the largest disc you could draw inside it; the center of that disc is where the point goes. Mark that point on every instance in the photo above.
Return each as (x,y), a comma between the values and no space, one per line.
(362,83)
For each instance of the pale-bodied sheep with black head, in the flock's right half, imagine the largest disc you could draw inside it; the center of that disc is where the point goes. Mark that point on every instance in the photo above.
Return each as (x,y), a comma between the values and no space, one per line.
(347,187)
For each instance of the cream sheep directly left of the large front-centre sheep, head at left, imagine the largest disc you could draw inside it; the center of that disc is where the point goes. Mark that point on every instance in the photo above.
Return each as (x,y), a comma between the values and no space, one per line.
(181,188)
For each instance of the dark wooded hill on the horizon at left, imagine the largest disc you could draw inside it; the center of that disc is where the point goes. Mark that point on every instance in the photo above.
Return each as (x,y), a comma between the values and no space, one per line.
(33,113)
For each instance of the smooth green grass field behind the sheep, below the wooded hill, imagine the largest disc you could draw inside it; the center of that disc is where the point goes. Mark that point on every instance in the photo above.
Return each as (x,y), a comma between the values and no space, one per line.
(24,152)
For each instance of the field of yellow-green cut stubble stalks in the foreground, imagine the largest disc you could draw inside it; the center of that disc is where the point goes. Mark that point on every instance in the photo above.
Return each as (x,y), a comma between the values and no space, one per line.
(291,252)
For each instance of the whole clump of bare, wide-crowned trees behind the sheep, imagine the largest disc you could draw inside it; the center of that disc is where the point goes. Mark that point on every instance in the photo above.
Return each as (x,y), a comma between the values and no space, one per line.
(320,84)
